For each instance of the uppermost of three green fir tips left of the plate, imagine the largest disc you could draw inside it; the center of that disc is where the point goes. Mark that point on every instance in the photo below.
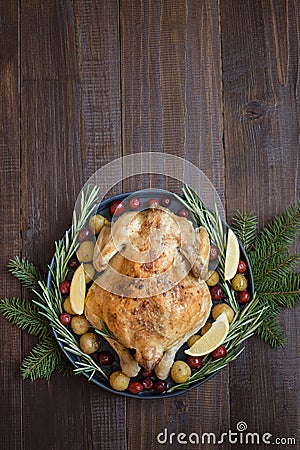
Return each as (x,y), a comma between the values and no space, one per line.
(26,272)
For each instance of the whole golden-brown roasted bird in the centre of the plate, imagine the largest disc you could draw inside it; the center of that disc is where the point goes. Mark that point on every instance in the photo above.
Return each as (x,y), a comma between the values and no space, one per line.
(151,292)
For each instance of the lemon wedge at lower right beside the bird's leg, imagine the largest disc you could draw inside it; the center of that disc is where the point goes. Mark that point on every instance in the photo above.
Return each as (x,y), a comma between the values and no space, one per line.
(212,339)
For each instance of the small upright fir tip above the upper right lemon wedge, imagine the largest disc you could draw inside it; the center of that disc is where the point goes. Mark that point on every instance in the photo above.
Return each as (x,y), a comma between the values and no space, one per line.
(244,226)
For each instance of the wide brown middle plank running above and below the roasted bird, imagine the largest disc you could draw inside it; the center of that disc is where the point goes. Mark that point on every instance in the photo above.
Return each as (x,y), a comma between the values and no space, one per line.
(171,102)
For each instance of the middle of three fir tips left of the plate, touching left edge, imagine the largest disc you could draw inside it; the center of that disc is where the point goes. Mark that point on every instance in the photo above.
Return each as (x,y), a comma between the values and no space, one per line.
(25,315)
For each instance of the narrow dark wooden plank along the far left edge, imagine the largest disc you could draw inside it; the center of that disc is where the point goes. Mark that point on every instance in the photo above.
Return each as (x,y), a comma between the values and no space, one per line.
(10,343)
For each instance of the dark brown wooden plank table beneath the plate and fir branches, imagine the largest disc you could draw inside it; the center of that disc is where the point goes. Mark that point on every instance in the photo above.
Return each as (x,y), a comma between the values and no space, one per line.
(85,82)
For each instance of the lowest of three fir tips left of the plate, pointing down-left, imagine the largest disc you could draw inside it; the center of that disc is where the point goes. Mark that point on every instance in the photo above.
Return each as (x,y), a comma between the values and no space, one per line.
(42,360)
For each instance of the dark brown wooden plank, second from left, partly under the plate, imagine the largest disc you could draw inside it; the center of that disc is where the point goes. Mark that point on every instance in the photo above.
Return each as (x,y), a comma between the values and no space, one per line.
(71,126)
